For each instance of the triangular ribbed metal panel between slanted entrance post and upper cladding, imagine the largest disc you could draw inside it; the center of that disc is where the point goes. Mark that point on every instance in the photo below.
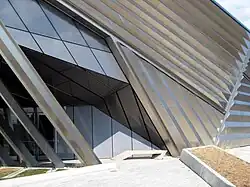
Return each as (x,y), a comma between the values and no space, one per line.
(186,117)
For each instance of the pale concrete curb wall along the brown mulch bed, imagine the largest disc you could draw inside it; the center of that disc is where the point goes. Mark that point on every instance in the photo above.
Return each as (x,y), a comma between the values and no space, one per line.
(204,171)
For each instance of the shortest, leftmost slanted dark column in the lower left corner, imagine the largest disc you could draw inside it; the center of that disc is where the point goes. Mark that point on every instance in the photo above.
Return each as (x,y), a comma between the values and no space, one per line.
(16,144)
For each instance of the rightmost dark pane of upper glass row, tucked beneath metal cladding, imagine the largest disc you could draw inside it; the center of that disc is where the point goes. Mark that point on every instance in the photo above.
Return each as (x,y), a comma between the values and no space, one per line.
(93,39)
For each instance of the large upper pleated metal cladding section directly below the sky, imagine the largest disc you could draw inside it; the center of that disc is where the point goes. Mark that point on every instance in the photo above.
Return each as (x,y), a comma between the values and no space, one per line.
(194,42)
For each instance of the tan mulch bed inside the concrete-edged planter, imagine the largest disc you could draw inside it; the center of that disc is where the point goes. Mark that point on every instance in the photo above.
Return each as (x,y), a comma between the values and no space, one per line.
(234,169)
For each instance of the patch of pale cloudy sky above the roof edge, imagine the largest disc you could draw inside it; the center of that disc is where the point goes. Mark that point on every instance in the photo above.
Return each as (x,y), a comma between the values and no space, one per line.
(240,9)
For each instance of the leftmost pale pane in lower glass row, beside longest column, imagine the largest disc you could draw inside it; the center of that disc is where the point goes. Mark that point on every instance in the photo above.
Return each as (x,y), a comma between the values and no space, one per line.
(24,38)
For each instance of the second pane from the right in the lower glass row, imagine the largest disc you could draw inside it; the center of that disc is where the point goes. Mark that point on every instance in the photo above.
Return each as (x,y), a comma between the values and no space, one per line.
(84,57)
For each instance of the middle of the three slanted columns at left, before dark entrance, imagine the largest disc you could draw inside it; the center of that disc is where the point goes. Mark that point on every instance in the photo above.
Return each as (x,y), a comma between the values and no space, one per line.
(29,127)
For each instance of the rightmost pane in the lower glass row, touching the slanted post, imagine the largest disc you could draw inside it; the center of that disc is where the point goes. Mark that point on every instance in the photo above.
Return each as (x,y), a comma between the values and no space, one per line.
(109,64)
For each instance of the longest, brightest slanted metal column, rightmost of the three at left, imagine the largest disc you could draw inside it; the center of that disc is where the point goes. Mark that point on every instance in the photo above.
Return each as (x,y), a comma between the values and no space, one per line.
(33,83)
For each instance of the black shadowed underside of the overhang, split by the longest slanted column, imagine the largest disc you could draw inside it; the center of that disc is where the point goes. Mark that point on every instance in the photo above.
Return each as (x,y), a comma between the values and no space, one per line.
(70,84)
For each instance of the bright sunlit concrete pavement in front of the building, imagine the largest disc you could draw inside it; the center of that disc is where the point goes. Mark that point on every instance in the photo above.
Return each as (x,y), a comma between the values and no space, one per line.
(143,172)
